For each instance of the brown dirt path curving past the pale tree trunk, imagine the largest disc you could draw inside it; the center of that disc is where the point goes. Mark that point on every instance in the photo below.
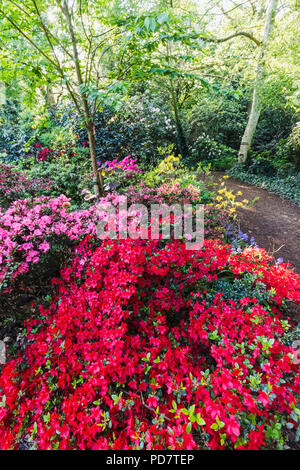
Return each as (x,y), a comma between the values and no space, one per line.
(273,221)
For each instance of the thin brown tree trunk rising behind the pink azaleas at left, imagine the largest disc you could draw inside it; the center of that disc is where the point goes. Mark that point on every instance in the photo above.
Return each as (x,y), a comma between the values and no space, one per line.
(97,178)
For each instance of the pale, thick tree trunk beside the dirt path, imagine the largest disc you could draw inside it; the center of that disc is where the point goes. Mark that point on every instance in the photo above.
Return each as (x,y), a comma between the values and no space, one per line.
(256,101)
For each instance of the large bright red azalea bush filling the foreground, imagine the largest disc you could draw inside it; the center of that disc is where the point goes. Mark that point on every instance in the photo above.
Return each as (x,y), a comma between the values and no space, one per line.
(138,349)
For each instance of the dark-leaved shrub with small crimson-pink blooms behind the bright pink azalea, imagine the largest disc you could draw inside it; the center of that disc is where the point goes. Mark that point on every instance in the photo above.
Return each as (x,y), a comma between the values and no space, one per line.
(17,185)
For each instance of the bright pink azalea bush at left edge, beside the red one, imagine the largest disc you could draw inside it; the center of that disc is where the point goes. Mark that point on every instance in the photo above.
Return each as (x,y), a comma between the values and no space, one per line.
(35,233)
